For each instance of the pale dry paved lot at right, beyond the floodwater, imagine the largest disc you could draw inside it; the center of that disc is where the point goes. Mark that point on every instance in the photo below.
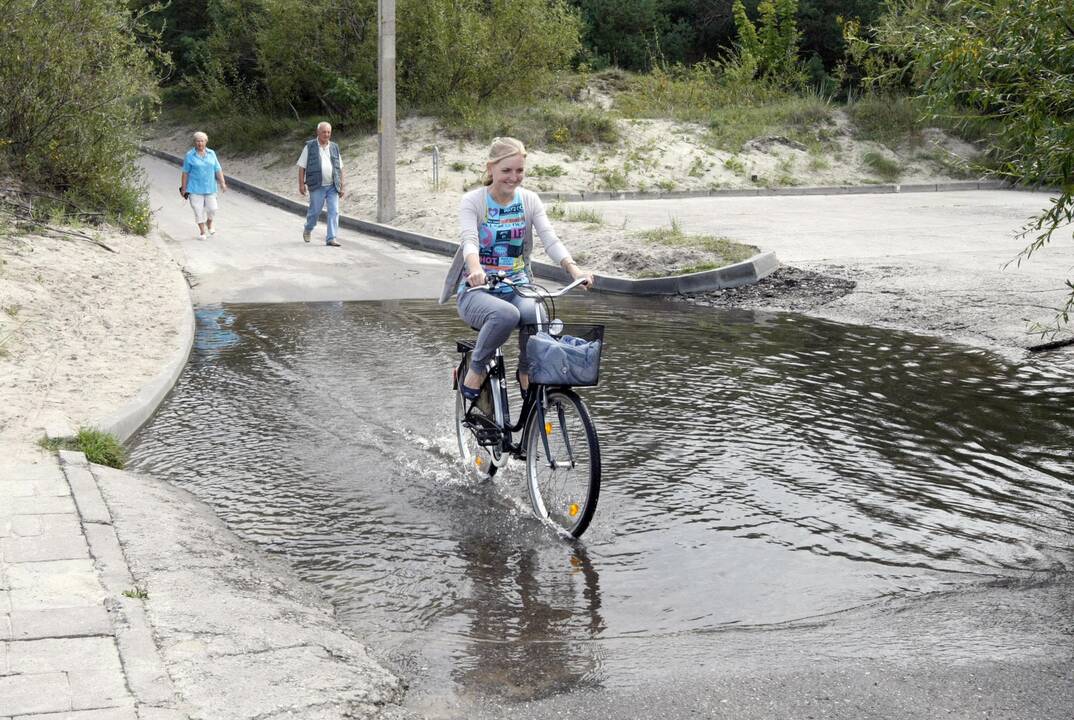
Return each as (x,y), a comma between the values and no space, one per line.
(934,263)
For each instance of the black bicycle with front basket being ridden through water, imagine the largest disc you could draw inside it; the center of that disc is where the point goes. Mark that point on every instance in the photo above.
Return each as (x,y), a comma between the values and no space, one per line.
(563,463)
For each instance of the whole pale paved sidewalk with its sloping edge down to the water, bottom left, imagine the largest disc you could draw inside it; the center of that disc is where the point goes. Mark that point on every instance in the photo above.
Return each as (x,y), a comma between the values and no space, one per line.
(123,598)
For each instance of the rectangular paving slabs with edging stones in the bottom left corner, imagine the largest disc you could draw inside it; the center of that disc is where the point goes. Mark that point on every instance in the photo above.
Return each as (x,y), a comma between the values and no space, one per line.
(72,646)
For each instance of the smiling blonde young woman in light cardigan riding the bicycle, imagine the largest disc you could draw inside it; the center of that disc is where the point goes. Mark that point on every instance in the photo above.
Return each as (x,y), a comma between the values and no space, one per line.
(497,225)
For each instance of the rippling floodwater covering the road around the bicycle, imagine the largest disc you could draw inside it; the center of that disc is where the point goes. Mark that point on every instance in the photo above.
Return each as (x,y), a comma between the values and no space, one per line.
(776,487)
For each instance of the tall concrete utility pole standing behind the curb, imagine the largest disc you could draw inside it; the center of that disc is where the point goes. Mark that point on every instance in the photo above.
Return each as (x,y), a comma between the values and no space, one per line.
(386,110)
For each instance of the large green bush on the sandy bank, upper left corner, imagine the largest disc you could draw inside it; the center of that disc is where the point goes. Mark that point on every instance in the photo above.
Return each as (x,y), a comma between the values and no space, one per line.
(76,85)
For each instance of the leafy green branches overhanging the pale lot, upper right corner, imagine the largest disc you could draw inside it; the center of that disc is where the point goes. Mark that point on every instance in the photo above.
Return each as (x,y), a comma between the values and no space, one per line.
(1009,62)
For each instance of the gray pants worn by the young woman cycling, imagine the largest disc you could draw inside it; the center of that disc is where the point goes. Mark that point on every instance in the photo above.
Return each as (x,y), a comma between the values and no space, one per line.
(496,316)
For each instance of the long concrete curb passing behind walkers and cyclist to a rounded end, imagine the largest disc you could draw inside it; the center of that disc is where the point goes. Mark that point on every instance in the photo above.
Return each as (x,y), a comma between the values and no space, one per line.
(743,273)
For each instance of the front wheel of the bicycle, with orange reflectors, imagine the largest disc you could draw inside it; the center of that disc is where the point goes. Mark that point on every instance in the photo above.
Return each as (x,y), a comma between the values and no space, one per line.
(564,474)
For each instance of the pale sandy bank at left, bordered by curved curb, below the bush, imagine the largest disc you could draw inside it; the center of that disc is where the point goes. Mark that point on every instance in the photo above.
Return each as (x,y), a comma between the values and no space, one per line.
(82,329)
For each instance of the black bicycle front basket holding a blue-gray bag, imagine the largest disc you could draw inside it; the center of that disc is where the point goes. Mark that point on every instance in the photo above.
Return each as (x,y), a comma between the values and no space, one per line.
(564,354)
